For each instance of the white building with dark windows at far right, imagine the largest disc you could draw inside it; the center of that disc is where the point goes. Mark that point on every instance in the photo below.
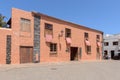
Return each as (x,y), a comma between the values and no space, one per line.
(112,46)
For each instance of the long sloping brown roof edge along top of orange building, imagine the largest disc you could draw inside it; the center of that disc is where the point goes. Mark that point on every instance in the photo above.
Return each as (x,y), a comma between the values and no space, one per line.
(44,15)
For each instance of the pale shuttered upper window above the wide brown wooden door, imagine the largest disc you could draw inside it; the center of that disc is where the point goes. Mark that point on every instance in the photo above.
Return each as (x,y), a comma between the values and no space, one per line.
(25,25)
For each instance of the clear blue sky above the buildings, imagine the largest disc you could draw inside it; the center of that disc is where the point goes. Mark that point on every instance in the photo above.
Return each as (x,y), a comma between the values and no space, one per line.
(102,15)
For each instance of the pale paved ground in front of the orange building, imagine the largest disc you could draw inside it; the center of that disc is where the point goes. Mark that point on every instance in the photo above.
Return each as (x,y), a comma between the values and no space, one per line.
(104,70)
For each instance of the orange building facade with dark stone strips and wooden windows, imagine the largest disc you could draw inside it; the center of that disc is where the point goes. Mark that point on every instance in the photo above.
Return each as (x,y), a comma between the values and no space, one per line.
(35,37)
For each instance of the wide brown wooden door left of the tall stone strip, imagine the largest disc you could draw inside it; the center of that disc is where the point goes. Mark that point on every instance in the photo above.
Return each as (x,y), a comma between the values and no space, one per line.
(26,54)
